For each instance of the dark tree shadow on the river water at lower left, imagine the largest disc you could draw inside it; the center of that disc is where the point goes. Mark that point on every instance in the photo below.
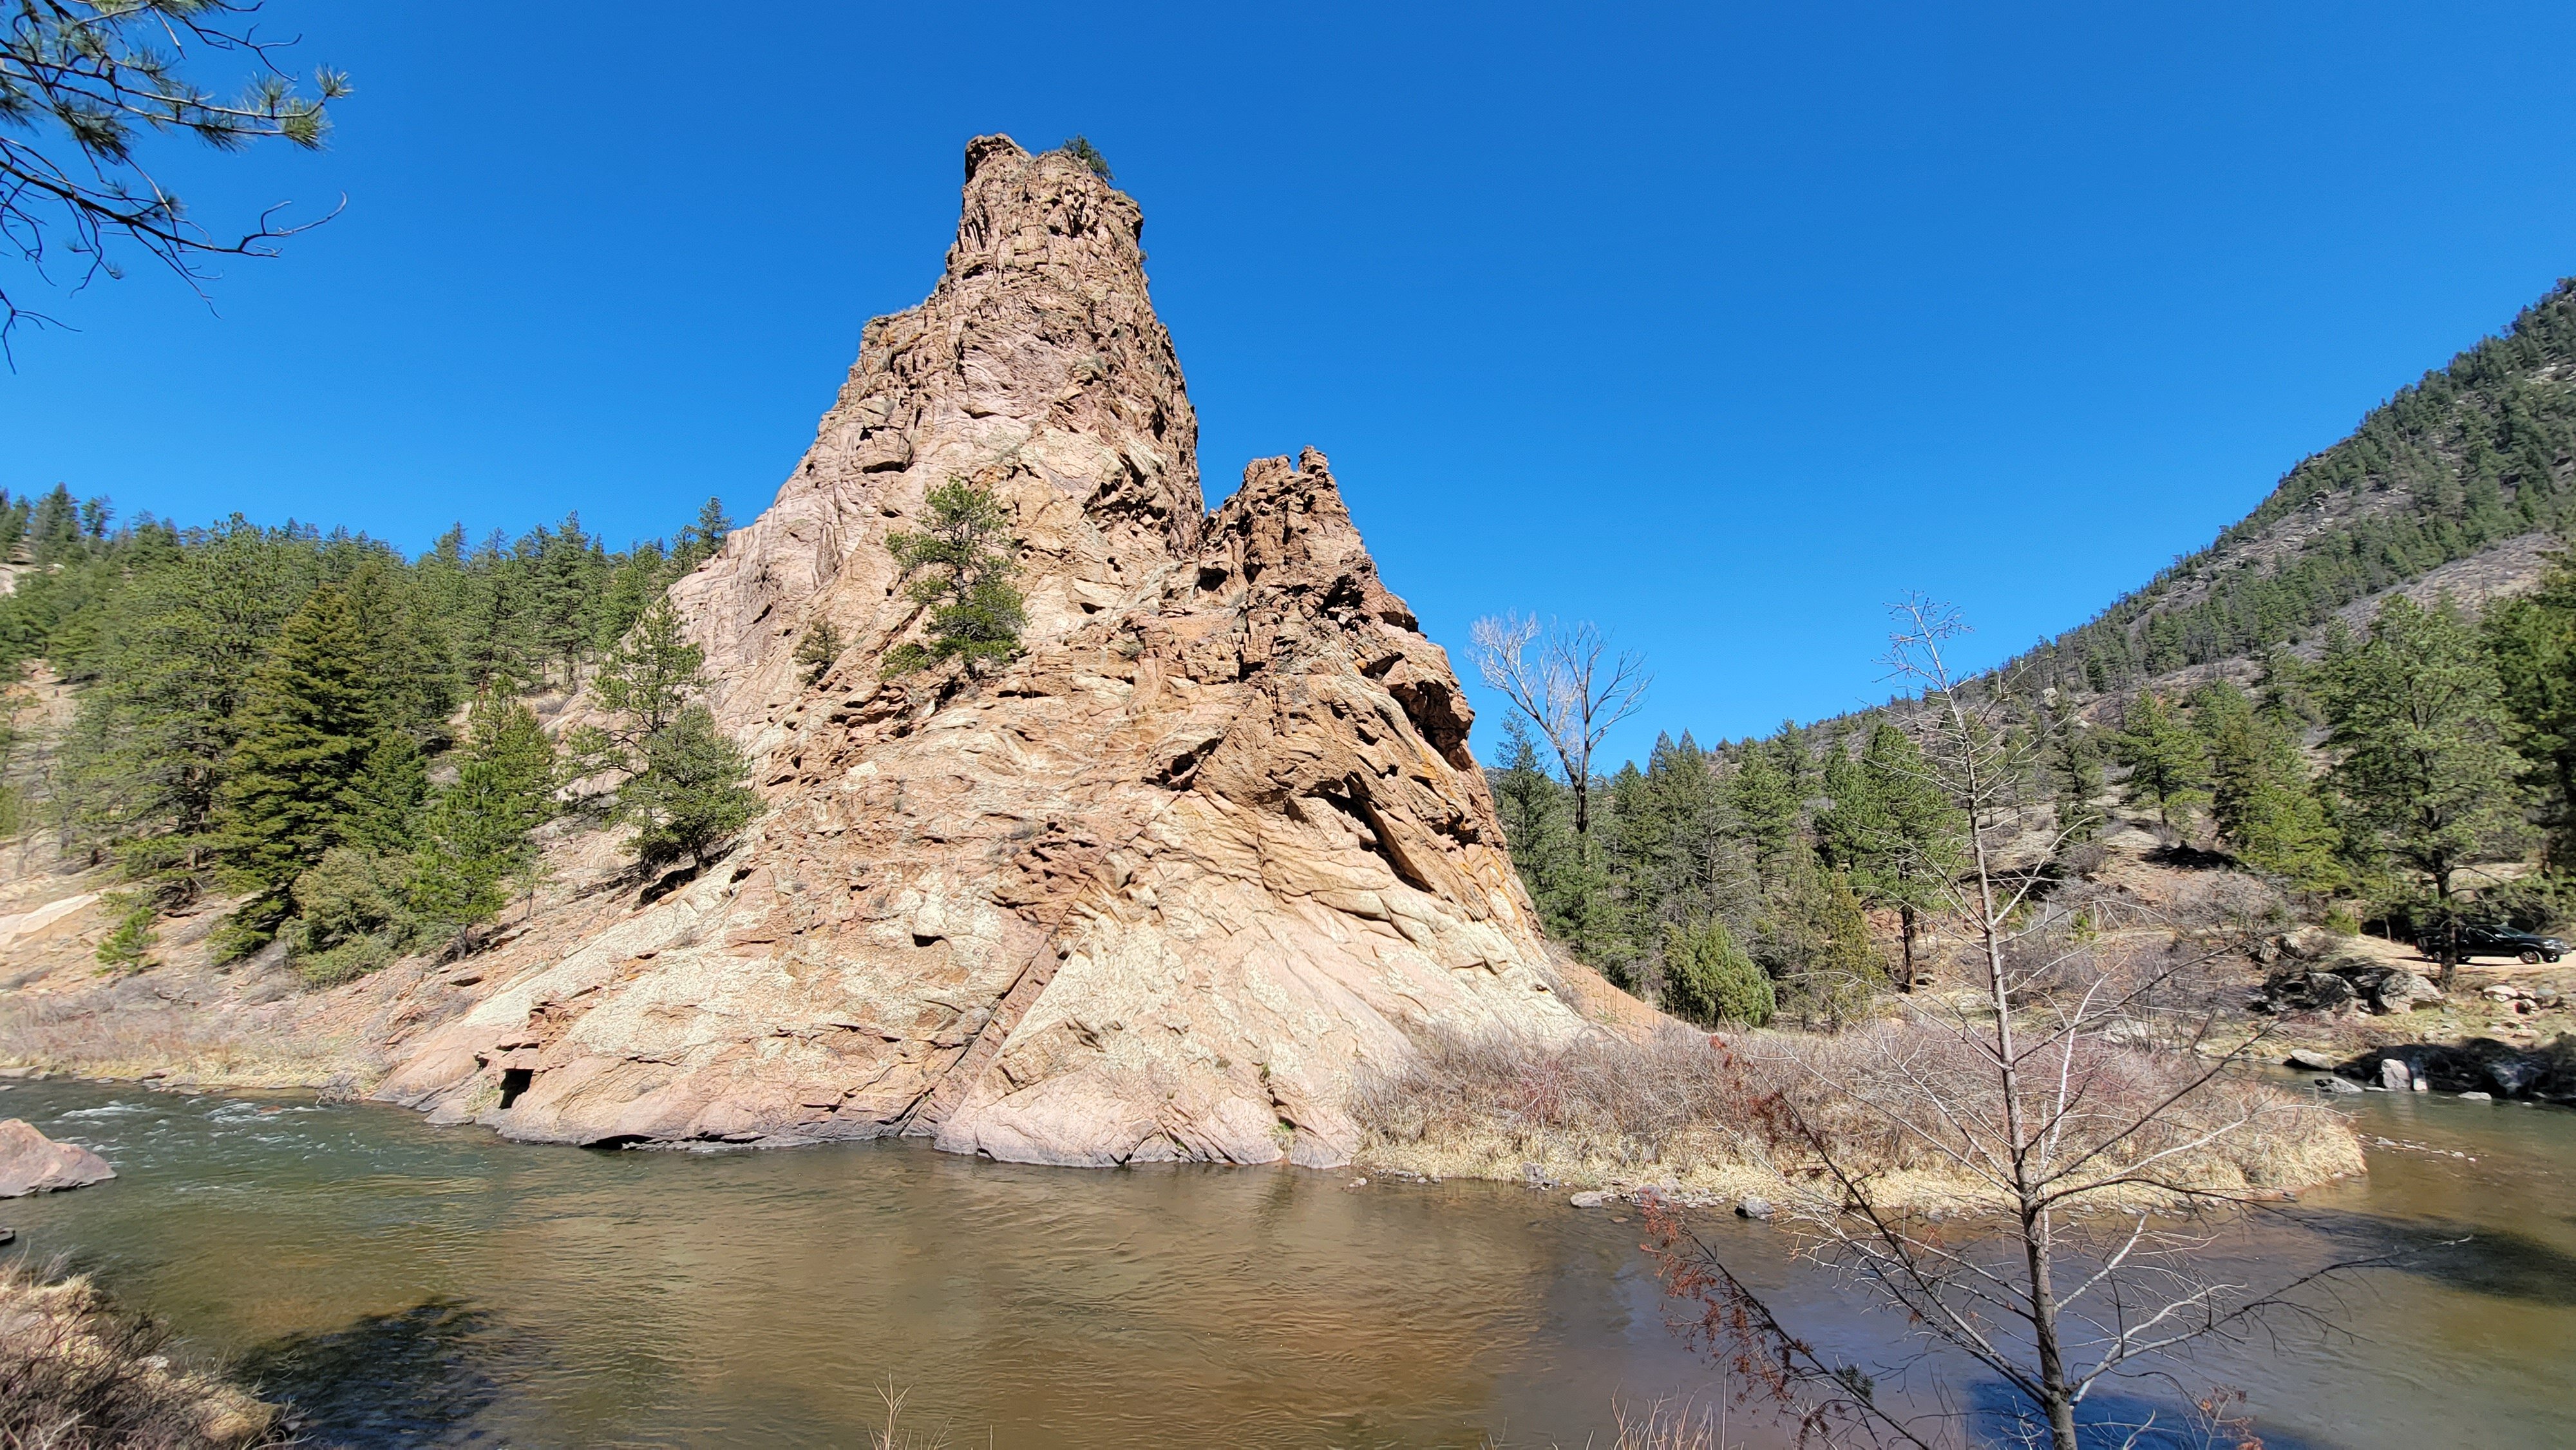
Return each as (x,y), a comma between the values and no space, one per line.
(419,1377)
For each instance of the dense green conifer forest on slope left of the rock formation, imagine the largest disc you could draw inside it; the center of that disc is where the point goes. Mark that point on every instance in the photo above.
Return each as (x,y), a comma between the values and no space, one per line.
(334,733)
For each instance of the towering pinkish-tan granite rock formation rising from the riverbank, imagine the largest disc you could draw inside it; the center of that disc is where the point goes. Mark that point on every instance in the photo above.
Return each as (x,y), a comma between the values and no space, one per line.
(1158,890)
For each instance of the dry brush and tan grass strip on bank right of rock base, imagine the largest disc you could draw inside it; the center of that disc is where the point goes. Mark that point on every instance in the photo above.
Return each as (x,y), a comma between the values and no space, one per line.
(1761,1114)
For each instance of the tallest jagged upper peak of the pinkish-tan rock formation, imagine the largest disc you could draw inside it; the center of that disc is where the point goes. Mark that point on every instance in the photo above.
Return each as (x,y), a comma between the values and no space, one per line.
(1037,367)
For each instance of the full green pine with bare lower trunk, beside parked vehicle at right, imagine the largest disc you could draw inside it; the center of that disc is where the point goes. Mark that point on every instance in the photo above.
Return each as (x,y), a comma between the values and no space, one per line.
(2418,728)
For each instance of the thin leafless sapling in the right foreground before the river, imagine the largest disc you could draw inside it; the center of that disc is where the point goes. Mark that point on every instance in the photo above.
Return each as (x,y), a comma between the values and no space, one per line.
(2036,1091)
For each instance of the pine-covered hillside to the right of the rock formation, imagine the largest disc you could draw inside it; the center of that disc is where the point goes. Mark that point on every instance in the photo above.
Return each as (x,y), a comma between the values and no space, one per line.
(2407,764)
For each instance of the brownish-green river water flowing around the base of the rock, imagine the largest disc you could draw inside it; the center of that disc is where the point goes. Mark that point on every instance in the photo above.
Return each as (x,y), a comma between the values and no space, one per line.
(437,1286)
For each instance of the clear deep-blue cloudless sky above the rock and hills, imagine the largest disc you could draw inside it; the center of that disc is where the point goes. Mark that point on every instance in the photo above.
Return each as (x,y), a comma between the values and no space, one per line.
(1717,326)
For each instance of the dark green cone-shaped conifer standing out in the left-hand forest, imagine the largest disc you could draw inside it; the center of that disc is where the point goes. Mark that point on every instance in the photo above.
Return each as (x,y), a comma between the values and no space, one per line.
(308,730)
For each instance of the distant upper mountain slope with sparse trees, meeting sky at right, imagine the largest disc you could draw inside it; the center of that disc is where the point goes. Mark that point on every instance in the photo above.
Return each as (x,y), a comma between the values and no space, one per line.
(2459,462)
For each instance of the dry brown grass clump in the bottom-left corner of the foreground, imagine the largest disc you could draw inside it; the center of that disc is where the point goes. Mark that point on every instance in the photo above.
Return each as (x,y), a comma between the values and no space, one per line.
(79,1374)
